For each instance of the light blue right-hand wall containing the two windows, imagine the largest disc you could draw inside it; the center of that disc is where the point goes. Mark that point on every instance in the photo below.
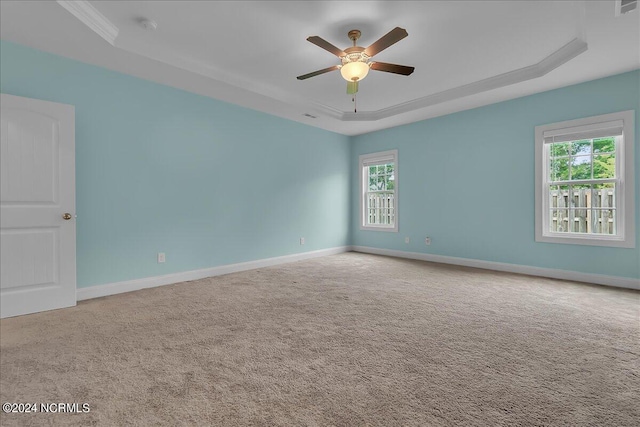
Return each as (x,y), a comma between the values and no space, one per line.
(467,180)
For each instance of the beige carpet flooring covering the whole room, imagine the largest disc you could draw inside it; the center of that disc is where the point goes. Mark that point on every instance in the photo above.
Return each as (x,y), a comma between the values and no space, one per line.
(345,340)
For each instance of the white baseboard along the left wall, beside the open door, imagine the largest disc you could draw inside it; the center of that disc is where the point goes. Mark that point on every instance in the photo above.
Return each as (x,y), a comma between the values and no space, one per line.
(151,282)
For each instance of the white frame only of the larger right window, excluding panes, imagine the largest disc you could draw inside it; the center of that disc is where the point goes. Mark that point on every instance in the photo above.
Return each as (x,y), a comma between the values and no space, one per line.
(625,183)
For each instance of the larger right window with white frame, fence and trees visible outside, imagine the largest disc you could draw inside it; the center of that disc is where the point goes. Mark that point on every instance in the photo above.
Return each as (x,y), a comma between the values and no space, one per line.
(585,181)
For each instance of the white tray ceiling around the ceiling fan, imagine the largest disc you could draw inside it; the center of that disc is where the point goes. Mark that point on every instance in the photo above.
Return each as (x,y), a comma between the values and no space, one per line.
(466,53)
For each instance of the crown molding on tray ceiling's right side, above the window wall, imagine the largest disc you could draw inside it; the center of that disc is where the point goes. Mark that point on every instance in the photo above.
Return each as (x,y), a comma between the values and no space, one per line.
(561,56)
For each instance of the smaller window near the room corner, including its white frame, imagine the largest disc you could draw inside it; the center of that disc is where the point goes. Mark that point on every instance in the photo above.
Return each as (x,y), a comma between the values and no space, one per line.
(379,191)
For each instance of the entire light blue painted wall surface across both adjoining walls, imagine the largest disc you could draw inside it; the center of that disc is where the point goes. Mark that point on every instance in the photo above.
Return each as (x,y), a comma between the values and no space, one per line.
(210,183)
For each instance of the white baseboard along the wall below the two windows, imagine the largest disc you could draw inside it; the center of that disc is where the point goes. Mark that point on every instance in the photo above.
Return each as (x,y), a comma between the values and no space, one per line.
(599,279)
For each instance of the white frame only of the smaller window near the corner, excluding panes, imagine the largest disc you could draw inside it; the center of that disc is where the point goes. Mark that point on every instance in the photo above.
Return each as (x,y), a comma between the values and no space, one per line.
(367,160)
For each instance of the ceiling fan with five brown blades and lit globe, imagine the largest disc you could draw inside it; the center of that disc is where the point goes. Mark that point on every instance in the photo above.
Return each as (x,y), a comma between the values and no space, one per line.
(356,60)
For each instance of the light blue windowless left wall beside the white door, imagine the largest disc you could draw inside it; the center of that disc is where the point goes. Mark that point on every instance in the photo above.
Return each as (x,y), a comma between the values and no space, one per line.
(163,170)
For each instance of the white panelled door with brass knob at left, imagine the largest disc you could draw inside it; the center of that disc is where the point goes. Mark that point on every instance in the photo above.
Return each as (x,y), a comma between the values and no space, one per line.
(37,206)
